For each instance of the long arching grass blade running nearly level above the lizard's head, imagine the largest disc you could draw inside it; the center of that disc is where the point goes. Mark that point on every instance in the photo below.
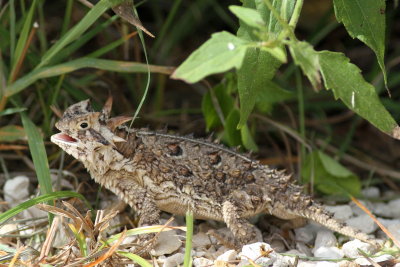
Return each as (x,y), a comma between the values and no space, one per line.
(104,64)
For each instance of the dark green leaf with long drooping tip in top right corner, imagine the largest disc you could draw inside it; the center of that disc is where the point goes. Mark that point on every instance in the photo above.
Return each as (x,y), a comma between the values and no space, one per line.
(365,20)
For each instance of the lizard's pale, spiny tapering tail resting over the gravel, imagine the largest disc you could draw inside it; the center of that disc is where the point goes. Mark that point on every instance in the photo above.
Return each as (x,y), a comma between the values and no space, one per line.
(318,214)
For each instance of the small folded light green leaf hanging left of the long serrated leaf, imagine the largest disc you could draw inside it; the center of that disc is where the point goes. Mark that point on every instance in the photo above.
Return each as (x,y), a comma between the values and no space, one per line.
(307,58)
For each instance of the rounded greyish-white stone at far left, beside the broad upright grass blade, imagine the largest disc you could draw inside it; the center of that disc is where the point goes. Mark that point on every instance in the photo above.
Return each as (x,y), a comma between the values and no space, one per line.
(16,190)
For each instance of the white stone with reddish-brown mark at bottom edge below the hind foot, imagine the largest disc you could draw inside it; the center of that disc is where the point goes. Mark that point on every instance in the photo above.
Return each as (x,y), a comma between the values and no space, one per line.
(256,251)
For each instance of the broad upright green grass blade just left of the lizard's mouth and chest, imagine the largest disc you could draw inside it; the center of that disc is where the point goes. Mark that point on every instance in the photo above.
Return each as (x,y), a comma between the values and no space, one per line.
(38,152)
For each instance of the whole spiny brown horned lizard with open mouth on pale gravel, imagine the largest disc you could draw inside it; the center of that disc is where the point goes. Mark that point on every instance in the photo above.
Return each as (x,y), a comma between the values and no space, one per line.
(155,171)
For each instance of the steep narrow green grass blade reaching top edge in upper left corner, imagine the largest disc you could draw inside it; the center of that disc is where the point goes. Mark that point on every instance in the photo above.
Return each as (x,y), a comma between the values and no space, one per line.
(22,38)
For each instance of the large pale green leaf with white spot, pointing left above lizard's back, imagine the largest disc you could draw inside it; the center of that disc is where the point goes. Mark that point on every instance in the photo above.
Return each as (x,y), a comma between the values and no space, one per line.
(222,52)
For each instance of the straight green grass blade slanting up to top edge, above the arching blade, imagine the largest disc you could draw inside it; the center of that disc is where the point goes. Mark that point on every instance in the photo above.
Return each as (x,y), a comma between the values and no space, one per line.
(90,18)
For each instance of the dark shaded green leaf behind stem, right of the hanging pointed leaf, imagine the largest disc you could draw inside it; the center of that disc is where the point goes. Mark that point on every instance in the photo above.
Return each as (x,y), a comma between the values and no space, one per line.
(271,95)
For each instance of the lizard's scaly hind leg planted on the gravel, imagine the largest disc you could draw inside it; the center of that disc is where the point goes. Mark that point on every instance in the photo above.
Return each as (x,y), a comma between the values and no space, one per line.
(243,231)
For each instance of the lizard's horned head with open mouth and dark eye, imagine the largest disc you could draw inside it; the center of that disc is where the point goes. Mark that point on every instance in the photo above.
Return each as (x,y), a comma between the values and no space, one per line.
(84,131)
